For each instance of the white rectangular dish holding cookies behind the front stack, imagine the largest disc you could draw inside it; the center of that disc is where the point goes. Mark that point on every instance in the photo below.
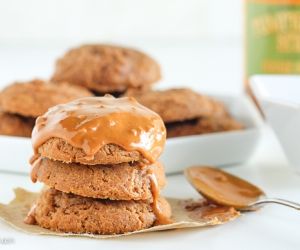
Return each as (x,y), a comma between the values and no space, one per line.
(224,148)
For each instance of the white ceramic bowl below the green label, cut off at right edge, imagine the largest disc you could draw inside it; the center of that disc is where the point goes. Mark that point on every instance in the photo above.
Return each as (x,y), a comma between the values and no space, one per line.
(279,98)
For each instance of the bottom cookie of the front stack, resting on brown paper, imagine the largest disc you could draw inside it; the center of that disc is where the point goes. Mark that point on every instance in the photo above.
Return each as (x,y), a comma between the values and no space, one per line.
(71,213)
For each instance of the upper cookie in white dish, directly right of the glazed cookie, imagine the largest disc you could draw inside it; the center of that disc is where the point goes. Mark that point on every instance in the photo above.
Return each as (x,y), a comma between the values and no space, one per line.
(175,105)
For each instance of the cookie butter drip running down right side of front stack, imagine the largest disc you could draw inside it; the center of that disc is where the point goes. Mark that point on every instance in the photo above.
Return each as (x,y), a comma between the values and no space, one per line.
(161,218)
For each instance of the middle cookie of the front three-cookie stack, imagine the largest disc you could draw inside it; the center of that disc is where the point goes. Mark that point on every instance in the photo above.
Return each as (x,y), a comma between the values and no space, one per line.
(115,182)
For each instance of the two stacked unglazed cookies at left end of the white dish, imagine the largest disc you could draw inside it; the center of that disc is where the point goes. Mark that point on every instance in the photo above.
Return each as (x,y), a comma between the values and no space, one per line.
(22,102)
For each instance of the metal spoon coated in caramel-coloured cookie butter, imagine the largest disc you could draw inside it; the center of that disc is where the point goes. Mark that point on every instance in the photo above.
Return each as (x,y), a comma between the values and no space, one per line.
(226,189)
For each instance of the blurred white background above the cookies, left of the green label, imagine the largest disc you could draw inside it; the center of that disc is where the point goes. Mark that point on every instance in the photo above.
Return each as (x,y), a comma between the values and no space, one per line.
(197,42)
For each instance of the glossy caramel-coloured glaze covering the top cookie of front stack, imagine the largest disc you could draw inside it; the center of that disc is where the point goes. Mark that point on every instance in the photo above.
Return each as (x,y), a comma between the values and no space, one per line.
(92,122)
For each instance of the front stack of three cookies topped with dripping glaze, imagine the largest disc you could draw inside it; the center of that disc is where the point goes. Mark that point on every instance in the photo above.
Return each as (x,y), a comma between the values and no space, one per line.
(98,158)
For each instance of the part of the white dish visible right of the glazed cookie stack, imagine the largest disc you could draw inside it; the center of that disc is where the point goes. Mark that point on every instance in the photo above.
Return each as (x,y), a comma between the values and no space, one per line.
(217,149)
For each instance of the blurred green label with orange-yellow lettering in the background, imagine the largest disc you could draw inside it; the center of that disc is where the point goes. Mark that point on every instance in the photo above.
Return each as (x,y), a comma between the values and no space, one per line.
(272,39)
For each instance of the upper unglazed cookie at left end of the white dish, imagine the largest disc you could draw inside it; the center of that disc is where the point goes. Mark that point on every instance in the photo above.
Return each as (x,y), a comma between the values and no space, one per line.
(35,97)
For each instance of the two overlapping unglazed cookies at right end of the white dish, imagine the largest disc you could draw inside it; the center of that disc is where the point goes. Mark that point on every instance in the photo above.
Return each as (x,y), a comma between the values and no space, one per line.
(186,112)
